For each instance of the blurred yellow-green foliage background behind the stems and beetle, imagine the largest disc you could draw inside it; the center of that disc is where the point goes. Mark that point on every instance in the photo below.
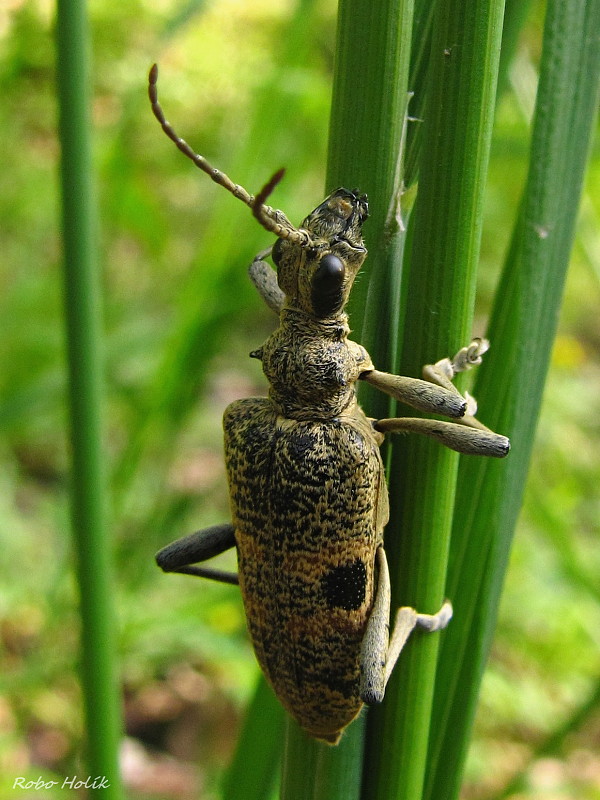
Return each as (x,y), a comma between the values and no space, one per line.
(248,84)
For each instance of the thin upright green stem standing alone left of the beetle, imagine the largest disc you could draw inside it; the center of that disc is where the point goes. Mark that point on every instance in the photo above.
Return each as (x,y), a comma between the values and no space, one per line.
(83,317)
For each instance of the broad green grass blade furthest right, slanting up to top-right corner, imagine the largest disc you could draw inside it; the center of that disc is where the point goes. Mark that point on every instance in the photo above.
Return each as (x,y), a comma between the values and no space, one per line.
(510,384)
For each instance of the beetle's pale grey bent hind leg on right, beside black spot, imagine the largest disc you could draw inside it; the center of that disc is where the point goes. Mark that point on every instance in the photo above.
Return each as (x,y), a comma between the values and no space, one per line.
(379,651)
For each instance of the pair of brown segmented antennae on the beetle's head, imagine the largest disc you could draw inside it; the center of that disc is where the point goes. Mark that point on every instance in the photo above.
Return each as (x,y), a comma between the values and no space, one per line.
(271,219)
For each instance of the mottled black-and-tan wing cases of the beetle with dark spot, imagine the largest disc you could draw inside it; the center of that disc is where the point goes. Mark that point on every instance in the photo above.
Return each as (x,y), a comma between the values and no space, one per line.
(306,552)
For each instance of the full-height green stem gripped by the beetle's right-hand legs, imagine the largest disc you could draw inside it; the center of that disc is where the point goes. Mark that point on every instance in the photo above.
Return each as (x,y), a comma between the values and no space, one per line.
(438,318)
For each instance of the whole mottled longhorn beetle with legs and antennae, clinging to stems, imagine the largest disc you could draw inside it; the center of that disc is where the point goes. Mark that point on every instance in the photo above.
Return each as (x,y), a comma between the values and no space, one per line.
(306,481)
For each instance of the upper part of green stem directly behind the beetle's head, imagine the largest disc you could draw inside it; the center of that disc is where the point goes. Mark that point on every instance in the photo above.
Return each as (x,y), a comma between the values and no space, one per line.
(367,129)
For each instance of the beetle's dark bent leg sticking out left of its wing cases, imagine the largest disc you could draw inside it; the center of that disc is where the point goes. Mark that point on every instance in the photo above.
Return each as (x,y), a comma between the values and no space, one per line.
(180,556)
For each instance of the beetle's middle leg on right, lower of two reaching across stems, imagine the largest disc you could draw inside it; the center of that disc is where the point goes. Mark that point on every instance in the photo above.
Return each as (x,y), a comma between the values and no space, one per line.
(470,437)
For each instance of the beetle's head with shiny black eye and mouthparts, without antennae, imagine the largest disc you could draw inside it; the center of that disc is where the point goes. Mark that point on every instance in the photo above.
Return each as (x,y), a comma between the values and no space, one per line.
(317,276)
